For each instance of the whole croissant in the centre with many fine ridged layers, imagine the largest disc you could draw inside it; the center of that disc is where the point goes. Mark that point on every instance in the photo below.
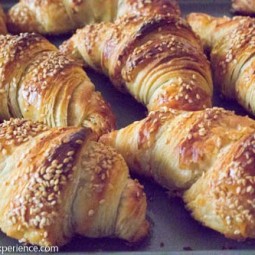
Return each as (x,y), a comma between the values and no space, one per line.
(157,59)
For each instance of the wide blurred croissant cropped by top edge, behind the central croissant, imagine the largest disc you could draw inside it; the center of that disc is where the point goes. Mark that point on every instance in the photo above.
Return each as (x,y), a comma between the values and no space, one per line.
(58,17)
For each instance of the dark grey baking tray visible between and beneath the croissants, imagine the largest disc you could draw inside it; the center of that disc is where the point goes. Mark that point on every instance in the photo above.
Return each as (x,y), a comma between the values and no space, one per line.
(173,231)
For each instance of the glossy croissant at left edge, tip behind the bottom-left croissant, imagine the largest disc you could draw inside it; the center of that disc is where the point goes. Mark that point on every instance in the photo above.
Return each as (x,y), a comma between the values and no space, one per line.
(39,83)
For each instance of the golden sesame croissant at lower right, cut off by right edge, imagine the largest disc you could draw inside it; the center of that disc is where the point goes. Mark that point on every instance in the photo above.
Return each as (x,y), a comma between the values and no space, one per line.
(208,155)
